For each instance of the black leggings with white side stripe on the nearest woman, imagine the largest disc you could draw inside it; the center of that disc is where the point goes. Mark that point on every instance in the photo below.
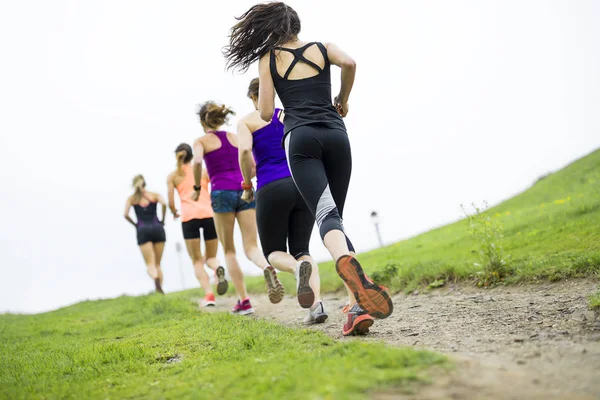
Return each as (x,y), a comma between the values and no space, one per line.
(321,164)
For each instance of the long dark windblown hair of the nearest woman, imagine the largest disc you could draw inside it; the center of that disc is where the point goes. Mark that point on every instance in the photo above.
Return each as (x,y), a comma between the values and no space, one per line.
(259,30)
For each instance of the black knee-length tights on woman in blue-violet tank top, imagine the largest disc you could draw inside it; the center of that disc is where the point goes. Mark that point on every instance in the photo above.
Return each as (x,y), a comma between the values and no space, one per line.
(283,216)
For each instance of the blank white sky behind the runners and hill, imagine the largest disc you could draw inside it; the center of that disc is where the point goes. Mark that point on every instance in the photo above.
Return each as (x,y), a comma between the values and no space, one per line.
(454,102)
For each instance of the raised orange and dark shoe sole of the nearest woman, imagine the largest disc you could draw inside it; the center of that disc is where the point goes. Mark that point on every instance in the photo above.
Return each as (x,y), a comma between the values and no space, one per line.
(374,300)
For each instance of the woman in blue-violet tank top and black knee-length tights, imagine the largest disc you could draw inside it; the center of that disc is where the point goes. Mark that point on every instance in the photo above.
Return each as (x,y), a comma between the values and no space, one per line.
(281,213)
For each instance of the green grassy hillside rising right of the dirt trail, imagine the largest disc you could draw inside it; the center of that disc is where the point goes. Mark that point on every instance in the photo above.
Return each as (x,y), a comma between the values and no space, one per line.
(550,233)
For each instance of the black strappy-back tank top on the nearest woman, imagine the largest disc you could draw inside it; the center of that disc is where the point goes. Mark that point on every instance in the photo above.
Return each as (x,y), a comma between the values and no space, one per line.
(306,101)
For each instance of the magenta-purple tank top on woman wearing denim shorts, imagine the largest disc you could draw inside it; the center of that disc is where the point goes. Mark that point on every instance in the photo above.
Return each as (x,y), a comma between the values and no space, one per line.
(223,165)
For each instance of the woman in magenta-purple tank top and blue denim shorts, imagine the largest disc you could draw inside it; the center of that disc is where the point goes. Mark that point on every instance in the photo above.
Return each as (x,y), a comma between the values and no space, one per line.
(219,149)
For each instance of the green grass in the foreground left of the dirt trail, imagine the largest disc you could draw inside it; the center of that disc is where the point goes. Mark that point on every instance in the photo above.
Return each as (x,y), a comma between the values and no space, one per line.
(124,348)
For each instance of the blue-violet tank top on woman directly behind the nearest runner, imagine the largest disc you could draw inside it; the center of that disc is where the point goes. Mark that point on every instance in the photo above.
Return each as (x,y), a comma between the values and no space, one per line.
(271,163)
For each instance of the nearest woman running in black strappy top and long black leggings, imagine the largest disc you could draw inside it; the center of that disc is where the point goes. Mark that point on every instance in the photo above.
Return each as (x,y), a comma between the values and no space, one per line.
(315,140)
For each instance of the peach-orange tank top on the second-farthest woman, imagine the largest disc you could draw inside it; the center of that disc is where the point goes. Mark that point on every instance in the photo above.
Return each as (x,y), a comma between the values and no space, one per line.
(194,209)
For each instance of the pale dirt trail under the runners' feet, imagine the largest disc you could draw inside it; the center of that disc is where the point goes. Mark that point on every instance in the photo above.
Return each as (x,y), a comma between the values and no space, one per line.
(519,342)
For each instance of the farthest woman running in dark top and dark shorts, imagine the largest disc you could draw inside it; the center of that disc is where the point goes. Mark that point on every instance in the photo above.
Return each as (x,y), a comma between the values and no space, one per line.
(150,232)
